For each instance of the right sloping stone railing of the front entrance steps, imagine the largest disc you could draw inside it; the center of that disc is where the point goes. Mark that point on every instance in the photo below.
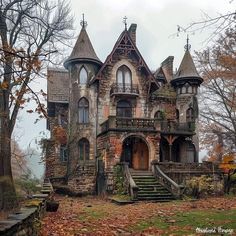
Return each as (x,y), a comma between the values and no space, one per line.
(176,189)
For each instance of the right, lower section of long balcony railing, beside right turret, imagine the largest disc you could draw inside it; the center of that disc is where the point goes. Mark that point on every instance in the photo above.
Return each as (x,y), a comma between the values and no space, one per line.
(173,127)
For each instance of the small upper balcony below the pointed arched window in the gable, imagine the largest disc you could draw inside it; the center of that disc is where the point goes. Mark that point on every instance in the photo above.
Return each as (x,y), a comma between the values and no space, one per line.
(124,89)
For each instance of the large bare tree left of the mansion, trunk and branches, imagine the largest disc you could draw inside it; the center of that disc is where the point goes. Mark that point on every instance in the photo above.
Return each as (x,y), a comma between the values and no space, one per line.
(31,31)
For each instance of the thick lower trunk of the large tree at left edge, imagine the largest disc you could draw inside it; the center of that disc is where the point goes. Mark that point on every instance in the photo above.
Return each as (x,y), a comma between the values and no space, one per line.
(8,199)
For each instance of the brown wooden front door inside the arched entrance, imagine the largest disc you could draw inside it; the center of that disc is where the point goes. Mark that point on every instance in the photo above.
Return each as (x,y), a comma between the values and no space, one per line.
(140,156)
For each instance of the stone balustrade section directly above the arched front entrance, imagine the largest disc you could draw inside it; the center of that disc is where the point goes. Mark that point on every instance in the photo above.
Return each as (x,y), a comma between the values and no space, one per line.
(123,123)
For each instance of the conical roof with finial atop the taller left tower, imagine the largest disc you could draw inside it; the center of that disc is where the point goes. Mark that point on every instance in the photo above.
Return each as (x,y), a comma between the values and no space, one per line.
(83,49)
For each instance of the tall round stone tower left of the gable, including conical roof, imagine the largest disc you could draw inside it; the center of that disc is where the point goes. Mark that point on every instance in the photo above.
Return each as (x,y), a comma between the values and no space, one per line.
(82,66)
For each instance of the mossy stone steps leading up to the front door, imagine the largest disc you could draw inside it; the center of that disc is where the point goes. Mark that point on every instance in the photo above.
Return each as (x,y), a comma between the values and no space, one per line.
(149,188)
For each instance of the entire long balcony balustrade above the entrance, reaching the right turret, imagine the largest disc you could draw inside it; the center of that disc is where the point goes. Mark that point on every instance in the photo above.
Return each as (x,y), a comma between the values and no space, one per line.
(114,123)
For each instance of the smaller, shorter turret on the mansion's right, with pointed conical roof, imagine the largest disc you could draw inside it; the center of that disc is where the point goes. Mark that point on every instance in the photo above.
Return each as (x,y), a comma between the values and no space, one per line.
(186,83)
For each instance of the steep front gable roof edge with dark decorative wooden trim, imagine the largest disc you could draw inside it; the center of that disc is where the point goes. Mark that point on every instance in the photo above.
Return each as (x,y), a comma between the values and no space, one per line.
(125,44)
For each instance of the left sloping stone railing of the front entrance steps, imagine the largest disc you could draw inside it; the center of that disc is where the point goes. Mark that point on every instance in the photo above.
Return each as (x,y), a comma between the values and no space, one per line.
(132,187)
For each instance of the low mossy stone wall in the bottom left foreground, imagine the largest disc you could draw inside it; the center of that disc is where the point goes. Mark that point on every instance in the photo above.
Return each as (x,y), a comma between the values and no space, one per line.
(27,220)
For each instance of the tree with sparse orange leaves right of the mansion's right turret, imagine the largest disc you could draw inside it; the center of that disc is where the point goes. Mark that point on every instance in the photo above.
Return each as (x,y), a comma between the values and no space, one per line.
(218,96)
